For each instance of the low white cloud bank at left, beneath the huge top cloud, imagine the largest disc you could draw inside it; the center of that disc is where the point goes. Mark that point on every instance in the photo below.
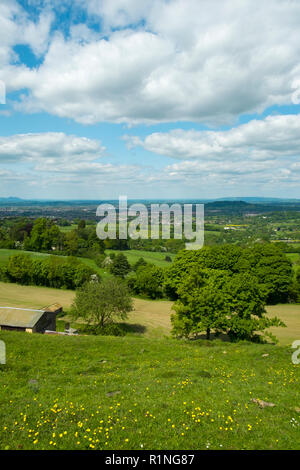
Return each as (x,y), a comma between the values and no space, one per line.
(59,158)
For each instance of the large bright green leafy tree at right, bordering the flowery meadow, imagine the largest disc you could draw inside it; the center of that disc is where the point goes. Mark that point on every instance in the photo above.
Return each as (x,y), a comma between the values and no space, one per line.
(214,299)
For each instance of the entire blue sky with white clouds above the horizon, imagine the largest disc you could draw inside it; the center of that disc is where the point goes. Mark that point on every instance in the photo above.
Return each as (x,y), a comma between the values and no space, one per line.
(149,99)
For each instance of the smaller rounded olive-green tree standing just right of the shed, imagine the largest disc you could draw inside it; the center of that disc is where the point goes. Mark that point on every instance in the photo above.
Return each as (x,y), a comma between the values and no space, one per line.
(102,303)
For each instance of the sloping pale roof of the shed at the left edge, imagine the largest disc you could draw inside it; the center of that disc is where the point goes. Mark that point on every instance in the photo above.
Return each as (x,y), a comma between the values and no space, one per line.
(19,317)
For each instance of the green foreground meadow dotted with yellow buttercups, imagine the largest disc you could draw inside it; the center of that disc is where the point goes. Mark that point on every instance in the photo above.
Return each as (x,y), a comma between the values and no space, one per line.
(136,393)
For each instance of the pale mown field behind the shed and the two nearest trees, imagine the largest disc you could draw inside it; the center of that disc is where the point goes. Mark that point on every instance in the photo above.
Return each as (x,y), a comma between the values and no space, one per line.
(151,318)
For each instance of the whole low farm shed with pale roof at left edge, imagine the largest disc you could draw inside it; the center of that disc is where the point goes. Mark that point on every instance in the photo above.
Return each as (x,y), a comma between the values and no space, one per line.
(29,320)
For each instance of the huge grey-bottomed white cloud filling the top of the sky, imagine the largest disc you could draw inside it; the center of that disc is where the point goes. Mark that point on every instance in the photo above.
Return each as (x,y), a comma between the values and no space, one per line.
(186,60)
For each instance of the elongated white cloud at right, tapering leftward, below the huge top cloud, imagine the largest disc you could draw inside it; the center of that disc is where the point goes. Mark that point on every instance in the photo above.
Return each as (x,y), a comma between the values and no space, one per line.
(258,140)
